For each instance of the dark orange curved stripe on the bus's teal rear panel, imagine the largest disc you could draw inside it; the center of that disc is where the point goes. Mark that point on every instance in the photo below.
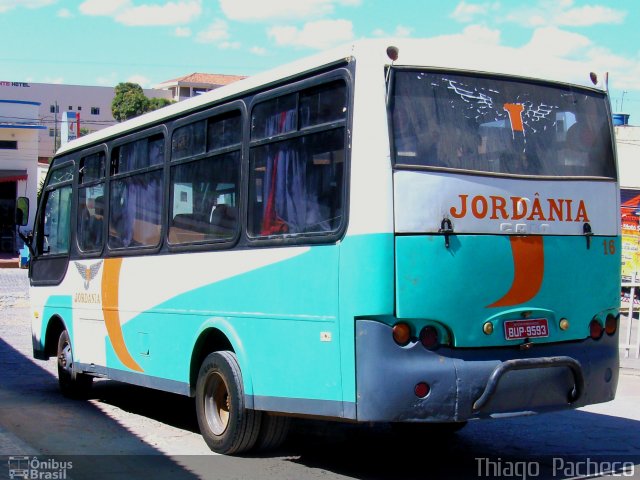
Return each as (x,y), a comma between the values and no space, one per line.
(528,263)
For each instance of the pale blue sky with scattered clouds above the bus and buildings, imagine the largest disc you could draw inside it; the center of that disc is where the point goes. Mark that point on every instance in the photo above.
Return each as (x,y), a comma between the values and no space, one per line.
(104,42)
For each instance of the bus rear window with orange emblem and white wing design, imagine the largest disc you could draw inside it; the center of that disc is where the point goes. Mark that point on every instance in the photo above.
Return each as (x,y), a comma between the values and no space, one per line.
(499,125)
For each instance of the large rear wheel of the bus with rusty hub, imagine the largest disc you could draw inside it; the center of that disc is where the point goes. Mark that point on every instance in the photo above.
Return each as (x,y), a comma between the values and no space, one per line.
(226,425)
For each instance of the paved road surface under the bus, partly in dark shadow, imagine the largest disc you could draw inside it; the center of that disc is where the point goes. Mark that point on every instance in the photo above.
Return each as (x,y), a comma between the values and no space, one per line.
(125,431)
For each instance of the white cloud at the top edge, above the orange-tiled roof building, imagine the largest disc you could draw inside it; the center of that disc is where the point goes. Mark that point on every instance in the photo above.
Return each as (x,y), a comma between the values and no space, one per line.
(171,13)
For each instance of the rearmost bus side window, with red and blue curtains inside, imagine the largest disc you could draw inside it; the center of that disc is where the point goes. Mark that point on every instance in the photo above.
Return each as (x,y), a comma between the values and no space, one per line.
(296,183)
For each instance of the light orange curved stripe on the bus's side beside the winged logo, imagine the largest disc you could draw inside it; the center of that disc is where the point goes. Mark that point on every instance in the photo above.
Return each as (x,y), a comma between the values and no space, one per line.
(110,309)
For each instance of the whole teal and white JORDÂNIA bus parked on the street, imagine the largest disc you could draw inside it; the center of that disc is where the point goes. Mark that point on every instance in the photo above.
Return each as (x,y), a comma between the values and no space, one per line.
(375,234)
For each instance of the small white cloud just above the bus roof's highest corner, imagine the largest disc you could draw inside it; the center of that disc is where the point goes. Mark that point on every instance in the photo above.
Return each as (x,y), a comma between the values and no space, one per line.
(313,34)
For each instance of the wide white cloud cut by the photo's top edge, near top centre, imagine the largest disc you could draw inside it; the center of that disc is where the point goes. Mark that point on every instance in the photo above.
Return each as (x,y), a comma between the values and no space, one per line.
(251,10)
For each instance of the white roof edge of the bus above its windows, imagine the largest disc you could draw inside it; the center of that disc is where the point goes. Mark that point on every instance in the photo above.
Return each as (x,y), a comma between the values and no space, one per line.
(460,55)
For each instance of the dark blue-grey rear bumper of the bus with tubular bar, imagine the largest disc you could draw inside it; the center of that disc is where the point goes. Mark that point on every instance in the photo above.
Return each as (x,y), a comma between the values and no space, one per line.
(477,383)
